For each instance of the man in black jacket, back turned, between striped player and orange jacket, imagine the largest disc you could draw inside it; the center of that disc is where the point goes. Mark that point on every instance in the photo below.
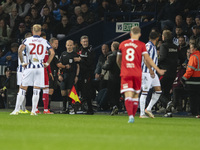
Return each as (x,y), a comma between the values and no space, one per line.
(168,60)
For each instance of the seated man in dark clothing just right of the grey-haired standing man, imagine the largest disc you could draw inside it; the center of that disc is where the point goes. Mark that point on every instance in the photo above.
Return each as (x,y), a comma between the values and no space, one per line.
(100,63)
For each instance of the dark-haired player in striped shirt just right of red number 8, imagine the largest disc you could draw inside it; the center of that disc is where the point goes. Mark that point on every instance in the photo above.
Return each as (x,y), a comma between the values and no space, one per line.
(150,78)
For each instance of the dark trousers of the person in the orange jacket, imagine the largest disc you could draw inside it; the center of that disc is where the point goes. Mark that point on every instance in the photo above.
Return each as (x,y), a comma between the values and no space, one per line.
(194,96)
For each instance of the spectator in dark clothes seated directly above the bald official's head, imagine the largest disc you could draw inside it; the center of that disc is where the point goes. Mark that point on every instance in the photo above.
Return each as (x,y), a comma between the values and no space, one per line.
(63,28)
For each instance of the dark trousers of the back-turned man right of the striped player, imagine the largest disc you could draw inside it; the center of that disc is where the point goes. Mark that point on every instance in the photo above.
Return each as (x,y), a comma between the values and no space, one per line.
(166,85)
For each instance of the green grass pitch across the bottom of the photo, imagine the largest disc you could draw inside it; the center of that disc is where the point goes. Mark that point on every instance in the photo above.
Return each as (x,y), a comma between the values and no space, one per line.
(97,132)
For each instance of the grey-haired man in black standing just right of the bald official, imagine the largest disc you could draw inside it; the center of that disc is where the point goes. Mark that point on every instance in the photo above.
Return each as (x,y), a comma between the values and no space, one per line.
(87,72)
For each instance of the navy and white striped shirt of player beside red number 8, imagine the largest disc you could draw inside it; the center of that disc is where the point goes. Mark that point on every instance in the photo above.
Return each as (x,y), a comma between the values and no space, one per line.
(151,49)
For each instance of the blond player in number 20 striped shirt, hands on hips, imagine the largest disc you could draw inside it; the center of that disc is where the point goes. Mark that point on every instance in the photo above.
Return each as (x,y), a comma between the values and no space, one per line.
(33,75)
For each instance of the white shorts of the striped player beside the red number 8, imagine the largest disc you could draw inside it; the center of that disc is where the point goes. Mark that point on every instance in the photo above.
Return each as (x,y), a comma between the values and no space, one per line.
(149,82)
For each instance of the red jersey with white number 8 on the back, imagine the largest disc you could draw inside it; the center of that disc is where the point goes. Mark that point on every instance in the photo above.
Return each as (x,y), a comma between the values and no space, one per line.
(132,51)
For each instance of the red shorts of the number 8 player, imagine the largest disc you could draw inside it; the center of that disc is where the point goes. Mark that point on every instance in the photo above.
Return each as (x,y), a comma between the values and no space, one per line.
(131,83)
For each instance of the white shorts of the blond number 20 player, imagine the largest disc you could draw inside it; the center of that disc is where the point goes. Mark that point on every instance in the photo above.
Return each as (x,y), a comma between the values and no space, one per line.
(33,77)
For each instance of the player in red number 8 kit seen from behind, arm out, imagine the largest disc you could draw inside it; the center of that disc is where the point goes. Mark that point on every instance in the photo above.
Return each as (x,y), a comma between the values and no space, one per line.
(129,59)
